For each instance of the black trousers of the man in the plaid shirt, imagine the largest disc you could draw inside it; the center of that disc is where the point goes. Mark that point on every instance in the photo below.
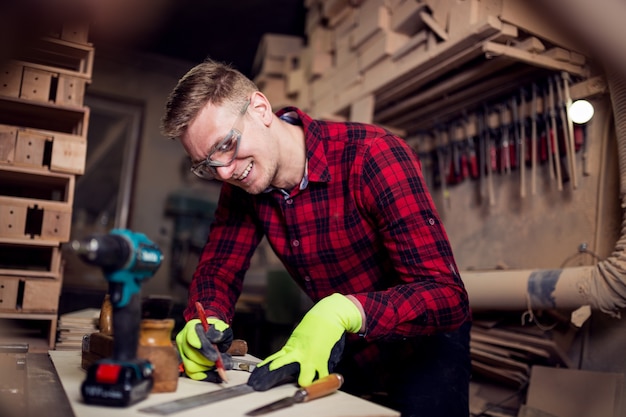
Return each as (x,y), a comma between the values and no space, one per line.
(431,381)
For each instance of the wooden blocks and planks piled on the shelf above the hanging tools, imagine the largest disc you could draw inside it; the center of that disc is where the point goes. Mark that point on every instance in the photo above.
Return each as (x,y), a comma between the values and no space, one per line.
(386,61)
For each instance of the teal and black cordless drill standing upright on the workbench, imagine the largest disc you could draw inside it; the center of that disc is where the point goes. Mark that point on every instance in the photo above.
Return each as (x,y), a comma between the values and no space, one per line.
(126,258)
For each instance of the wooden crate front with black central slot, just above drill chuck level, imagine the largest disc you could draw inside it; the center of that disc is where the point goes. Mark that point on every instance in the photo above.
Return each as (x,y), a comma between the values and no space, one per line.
(34,221)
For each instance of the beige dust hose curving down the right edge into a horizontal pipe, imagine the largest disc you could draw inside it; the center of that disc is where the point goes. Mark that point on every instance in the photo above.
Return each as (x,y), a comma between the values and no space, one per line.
(602,286)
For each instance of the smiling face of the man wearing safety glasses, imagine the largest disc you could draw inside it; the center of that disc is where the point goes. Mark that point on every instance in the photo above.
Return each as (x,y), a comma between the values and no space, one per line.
(256,161)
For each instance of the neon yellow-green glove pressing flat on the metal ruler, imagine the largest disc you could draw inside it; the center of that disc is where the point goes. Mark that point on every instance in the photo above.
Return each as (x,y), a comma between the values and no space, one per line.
(314,347)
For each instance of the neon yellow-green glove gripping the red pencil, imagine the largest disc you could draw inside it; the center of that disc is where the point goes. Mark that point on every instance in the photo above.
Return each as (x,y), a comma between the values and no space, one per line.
(197,347)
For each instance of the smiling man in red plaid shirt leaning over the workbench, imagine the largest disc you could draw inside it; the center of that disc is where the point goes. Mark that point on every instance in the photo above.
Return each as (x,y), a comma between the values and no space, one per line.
(345,208)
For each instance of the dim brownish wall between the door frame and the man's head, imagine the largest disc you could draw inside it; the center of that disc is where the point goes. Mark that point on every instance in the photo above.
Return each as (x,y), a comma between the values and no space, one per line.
(147,80)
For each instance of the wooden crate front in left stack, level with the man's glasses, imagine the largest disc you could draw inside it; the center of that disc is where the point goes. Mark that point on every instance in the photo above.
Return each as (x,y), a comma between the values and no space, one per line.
(42,149)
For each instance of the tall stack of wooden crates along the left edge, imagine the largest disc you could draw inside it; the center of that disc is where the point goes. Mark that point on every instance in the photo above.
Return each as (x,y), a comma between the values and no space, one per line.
(43,145)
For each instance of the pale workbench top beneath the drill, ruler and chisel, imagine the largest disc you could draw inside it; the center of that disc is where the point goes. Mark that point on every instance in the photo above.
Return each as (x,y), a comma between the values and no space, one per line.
(70,374)
